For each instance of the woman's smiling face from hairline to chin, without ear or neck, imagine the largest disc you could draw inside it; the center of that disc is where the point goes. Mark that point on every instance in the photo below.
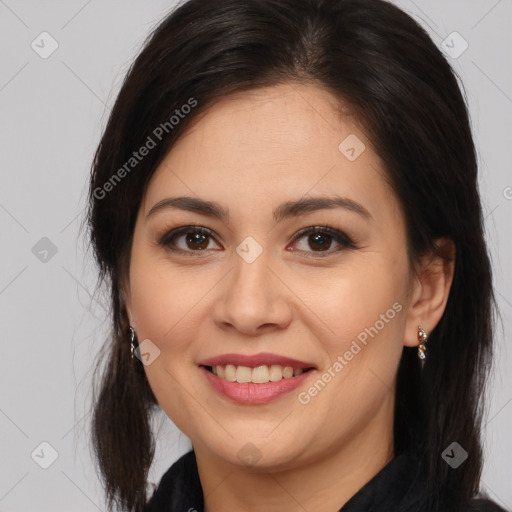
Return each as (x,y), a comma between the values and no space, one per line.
(290,252)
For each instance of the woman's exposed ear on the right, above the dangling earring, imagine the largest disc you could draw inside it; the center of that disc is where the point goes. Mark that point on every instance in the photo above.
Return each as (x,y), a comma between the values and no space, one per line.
(430,291)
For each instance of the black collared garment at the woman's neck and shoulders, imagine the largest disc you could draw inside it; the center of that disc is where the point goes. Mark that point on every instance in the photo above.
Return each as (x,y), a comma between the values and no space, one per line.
(398,487)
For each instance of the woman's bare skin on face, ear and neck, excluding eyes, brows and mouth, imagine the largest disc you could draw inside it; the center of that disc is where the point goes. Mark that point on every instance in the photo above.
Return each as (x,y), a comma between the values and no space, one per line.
(250,153)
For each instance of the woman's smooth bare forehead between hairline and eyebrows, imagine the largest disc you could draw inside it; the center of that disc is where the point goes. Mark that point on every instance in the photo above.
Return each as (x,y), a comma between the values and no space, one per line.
(279,142)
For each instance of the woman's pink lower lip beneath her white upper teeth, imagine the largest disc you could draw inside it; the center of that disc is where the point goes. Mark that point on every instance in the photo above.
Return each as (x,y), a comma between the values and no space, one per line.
(251,393)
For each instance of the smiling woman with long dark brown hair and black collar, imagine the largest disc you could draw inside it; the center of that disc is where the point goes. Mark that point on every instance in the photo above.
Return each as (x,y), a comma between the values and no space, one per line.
(284,205)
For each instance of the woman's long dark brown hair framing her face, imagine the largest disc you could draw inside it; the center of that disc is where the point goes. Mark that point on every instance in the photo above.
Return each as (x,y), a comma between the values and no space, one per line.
(382,64)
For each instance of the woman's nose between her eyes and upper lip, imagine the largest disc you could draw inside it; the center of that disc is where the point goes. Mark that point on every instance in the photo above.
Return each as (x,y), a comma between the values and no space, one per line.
(252,299)
